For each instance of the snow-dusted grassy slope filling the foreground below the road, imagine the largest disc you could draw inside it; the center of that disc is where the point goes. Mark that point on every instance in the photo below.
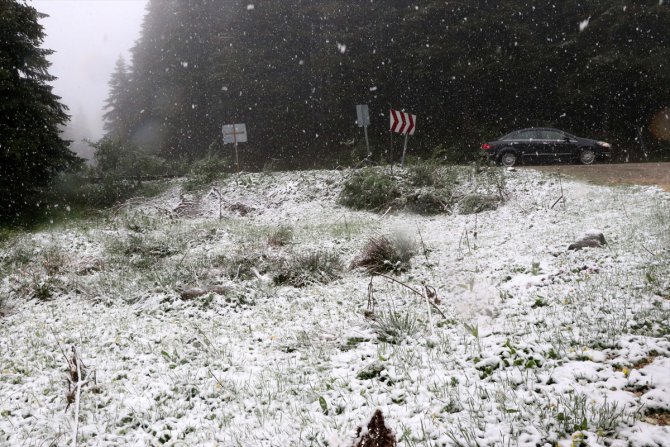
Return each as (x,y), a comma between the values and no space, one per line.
(530,344)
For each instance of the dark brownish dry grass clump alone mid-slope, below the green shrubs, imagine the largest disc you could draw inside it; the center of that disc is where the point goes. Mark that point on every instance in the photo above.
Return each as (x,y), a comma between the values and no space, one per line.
(382,254)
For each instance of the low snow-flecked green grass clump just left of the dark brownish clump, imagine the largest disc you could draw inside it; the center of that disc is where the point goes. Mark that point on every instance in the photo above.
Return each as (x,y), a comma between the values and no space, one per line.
(304,269)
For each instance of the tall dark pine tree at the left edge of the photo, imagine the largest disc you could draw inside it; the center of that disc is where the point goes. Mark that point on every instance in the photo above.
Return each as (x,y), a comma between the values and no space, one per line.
(32,151)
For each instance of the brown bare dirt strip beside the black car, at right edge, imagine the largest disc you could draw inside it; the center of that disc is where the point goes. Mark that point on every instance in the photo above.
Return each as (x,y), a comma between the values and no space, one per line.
(615,174)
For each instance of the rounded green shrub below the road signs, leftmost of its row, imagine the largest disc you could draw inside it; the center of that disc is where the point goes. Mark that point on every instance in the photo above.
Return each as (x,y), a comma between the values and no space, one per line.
(369,189)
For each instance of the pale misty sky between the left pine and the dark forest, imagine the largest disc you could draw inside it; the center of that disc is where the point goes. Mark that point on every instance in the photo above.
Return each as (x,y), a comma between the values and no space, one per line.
(88,36)
